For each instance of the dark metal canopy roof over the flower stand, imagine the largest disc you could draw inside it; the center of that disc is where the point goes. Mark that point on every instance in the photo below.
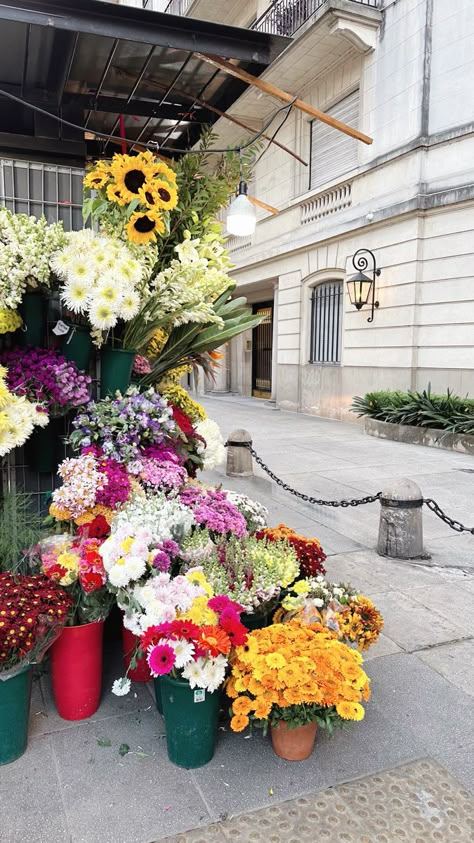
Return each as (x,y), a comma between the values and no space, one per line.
(90,62)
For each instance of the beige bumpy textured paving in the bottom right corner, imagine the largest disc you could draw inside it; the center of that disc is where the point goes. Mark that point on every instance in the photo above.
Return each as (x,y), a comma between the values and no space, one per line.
(415,803)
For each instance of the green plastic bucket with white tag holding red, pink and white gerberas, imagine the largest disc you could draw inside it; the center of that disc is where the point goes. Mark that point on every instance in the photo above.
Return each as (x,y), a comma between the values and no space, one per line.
(191,722)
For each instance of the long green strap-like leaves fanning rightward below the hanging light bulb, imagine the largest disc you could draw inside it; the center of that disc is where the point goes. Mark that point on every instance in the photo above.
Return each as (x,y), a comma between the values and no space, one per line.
(188,343)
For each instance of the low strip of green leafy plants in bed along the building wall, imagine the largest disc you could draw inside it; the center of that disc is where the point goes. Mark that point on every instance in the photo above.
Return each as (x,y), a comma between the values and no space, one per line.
(421,409)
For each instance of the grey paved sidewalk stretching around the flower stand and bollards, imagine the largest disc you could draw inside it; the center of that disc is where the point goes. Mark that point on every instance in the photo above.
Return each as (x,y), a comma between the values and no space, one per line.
(399,776)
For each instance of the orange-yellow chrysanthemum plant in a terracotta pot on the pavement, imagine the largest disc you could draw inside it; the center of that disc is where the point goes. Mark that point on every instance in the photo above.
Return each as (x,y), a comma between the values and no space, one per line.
(295,678)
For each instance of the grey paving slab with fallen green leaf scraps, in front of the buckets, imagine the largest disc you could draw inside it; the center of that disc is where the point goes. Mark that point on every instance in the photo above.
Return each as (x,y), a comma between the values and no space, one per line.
(112,799)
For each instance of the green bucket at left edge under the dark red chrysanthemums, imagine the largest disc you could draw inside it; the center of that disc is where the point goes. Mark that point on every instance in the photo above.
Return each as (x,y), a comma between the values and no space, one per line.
(15,699)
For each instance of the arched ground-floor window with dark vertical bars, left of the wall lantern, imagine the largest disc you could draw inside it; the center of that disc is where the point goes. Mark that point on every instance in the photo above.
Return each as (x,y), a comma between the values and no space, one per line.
(326,322)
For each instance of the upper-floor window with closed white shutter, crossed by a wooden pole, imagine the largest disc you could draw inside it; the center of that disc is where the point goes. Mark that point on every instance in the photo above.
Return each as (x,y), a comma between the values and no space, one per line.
(332,152)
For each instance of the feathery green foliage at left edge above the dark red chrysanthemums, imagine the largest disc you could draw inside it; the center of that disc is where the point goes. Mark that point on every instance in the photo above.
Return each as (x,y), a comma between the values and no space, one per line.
(20,528)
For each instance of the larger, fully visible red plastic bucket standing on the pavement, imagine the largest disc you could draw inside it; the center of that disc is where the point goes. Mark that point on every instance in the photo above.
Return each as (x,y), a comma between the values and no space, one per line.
(76,670)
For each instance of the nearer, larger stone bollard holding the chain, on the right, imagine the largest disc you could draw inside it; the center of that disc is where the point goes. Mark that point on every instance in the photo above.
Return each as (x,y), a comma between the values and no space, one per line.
(401,521)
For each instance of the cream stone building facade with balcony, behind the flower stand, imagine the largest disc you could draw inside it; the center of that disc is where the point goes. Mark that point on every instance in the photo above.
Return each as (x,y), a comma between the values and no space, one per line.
(401,71)
